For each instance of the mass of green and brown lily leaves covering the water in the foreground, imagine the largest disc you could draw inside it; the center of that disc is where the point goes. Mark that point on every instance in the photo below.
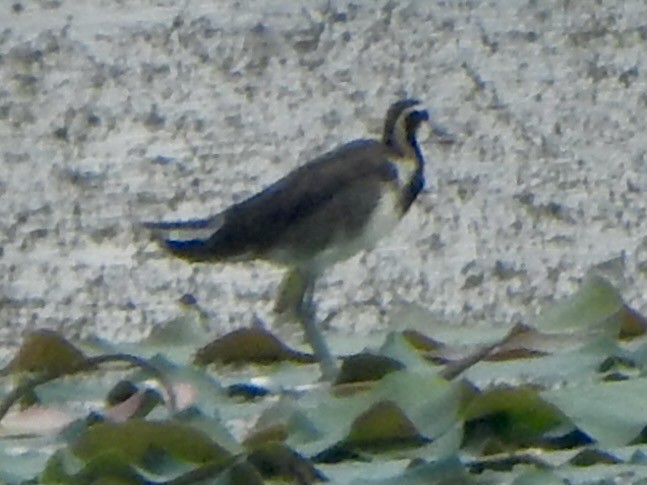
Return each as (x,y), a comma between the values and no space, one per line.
(560,400)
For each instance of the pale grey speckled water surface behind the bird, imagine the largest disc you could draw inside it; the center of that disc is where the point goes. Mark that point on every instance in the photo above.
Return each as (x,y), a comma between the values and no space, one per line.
(117,111)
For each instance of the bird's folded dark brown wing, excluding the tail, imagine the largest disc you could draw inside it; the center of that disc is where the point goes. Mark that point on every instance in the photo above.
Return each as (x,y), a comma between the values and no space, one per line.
(346,182)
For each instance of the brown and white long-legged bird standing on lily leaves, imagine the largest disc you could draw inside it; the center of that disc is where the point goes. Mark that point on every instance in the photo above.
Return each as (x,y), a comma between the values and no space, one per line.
(321,213)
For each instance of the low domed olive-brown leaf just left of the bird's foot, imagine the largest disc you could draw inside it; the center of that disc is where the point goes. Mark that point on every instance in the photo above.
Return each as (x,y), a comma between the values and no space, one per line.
(249,345)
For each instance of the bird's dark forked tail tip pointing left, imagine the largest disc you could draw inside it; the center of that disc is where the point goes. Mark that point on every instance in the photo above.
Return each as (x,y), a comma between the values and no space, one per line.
(188,240)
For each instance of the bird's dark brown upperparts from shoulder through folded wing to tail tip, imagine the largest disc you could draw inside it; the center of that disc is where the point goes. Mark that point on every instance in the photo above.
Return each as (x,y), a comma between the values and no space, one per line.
(327,200)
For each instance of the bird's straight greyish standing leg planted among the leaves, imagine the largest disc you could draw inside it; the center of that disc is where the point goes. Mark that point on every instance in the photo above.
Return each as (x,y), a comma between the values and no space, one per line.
(306,313)
